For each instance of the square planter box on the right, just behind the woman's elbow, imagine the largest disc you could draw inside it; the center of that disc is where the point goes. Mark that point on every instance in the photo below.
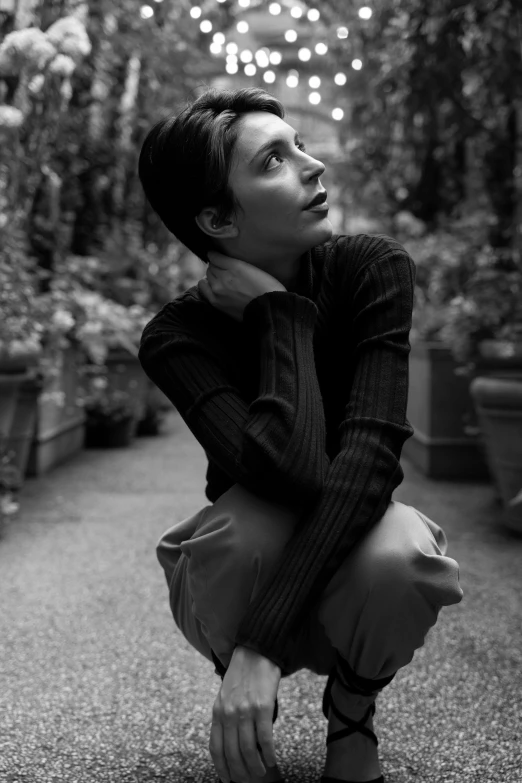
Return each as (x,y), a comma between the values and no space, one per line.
(439,405)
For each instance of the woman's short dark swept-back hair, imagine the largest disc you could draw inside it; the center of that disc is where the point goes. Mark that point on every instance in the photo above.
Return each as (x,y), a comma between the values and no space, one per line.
(185,160)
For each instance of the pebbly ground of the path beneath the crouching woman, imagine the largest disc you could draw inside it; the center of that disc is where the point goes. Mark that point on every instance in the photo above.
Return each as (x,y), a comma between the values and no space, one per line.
(97,685)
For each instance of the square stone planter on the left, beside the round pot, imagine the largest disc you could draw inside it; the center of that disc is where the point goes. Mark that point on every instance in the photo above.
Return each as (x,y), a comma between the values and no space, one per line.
(60,419)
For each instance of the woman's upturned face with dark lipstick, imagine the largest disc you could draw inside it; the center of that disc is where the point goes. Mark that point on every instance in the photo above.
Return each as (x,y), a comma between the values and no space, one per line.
(274,179)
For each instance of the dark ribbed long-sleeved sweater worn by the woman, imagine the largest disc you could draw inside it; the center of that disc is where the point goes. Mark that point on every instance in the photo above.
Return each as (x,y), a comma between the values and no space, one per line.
(303,403)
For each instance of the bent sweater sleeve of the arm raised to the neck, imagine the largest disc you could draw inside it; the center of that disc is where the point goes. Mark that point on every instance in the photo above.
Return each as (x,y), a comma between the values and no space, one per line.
(265,445)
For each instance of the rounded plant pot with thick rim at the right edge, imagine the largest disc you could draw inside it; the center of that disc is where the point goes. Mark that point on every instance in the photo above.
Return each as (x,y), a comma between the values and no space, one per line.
(498,402)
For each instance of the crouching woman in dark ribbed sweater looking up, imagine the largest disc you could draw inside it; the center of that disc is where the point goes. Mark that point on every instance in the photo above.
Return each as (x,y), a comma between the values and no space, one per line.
(289,363)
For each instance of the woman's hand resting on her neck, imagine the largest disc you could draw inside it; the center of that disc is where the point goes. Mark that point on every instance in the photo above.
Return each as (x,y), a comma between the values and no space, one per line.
(230,284)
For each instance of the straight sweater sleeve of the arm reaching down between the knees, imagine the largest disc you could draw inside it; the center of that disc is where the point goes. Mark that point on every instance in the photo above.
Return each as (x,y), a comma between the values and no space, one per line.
(363,474)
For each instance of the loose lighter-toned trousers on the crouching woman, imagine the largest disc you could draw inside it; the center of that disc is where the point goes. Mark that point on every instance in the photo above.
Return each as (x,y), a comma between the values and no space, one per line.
(376,610)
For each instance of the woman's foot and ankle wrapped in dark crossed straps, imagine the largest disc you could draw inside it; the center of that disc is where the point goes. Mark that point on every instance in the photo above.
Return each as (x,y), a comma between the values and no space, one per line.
(354,757)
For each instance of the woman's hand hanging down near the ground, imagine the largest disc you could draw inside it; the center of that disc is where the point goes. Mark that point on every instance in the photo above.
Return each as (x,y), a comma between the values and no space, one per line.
(242,717)
